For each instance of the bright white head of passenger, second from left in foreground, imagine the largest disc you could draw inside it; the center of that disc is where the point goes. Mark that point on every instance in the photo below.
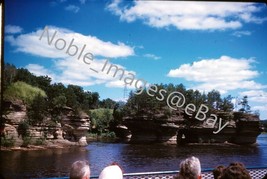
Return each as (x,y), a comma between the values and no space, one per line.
(112,171)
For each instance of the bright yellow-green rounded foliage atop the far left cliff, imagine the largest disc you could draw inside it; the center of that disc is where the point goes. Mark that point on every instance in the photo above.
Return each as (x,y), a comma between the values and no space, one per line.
(23,91)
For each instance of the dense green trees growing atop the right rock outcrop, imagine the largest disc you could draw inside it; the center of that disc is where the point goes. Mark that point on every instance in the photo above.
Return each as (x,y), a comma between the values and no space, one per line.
(140,102)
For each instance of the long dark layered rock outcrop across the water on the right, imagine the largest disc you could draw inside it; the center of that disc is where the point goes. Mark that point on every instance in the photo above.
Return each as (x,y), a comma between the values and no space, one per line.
(176,128)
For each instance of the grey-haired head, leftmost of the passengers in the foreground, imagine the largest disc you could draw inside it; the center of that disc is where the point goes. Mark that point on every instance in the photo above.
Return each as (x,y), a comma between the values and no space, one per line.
(80,170)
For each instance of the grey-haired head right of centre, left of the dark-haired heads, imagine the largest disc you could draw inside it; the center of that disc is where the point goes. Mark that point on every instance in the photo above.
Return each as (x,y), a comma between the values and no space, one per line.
(190,168)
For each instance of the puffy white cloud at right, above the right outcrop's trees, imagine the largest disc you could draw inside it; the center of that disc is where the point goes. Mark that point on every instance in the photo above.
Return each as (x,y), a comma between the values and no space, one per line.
(223,74)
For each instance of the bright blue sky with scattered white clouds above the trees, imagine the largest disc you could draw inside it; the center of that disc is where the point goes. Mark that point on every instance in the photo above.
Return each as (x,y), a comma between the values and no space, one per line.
(203,45)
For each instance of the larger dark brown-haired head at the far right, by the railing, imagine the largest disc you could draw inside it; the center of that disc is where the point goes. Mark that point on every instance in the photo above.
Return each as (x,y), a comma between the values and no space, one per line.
(235,171)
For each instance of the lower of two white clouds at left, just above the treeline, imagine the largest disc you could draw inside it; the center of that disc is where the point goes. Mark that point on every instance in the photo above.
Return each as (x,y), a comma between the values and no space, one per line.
(71,71)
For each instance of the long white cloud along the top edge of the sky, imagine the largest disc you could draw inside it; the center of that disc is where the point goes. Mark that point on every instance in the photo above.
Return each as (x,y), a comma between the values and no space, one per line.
(188,15)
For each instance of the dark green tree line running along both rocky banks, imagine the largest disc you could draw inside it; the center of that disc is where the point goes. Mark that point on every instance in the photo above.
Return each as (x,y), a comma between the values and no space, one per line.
(44,98)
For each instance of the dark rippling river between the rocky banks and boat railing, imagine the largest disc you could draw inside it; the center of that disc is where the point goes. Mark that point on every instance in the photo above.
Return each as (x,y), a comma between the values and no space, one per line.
(132,158)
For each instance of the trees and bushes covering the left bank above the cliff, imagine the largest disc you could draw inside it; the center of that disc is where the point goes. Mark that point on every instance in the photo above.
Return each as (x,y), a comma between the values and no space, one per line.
(44,98)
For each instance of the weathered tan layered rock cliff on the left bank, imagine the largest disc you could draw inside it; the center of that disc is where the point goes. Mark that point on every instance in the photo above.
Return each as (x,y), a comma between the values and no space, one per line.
(73,127)
